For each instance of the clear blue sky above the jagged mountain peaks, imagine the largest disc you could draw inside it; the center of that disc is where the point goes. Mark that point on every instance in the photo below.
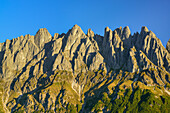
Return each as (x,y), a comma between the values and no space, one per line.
(21,17)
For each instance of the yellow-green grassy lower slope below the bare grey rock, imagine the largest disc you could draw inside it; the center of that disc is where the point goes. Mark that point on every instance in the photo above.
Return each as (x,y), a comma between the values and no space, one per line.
(101,93)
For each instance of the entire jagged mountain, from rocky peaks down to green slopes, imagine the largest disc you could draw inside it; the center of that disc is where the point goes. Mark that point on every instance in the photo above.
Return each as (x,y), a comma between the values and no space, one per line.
(78,72)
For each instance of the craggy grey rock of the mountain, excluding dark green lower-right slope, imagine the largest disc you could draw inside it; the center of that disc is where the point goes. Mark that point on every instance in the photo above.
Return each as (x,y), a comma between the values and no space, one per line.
(31,67)
